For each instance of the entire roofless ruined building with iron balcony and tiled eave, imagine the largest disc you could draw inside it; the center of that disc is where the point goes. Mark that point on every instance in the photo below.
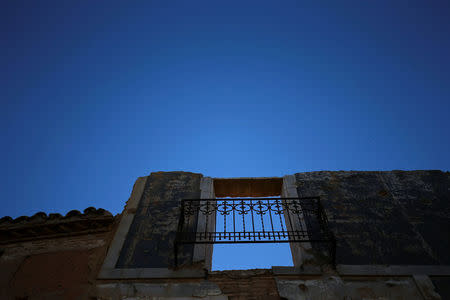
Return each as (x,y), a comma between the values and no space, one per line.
(352,235)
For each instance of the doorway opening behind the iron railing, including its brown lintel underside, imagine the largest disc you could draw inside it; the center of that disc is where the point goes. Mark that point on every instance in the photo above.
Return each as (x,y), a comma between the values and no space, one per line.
(261,253)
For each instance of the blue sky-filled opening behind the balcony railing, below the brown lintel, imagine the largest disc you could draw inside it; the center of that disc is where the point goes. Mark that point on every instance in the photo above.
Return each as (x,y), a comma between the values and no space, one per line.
(256,223)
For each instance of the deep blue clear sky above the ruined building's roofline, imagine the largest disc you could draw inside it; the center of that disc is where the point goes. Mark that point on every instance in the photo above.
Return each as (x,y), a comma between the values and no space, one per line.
(97,93)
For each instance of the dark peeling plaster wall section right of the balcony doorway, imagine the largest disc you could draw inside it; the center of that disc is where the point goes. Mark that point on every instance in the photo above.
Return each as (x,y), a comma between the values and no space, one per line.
(395,217)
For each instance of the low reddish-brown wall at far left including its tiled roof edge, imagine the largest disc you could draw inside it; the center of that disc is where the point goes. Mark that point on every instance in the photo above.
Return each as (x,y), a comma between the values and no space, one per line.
(54,256)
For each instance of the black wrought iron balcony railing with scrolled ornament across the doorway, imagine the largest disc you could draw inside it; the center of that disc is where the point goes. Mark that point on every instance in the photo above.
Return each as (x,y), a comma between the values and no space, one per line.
(254,220)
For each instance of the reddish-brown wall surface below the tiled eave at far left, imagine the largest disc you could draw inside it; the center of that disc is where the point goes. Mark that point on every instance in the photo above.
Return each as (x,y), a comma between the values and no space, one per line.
(61,268)
